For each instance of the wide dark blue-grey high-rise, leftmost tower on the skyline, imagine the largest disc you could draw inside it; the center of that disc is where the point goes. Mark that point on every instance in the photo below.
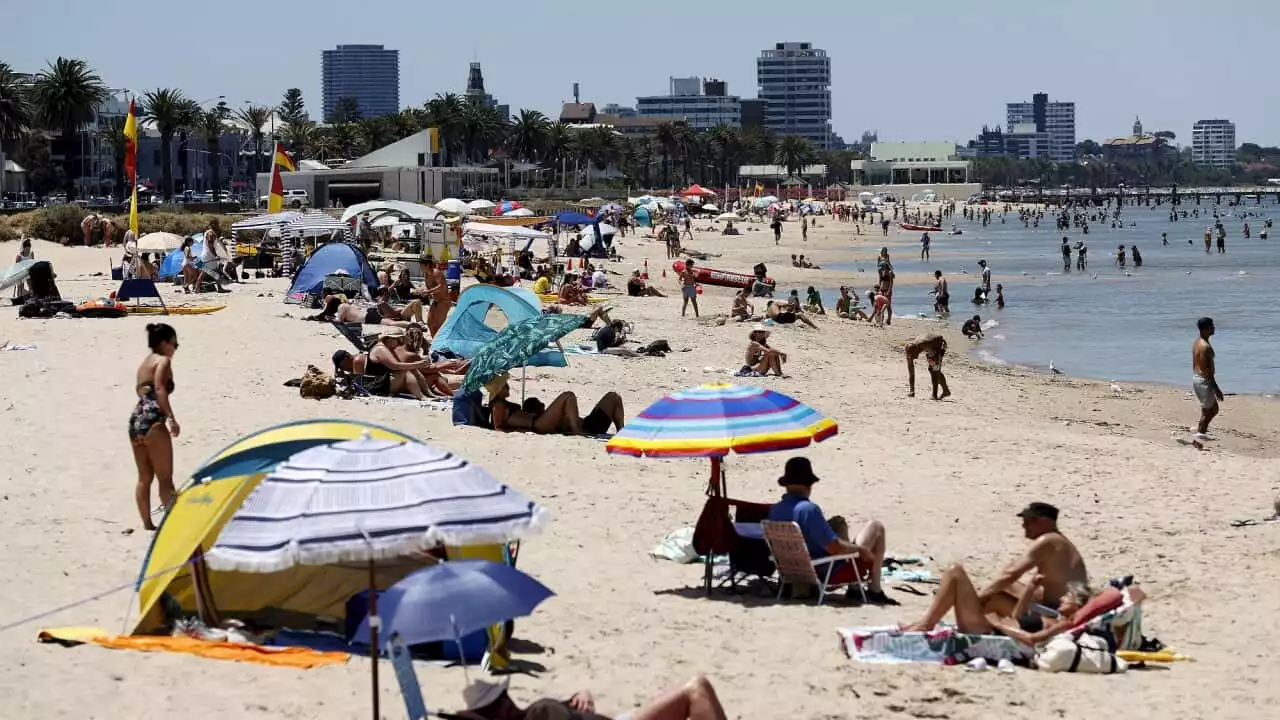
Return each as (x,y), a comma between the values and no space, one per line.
(368,74)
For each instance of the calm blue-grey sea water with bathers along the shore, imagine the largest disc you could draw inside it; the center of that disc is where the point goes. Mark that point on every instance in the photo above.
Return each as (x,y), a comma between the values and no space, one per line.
(1108,325)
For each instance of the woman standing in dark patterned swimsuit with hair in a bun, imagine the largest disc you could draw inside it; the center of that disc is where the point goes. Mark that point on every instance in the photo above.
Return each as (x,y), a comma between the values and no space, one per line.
(152,425)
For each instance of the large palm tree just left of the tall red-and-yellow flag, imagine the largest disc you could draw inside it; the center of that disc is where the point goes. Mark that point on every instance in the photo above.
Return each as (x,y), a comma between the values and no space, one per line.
(66,98)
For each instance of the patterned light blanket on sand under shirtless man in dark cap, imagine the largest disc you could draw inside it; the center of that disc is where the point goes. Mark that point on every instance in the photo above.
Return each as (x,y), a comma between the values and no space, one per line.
(943,646)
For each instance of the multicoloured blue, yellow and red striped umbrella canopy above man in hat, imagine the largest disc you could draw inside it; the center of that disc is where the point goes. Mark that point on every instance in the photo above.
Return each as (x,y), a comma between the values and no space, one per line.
(715,420)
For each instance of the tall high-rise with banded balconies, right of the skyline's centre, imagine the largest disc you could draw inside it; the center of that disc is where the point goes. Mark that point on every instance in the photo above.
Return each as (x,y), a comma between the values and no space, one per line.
(796,80)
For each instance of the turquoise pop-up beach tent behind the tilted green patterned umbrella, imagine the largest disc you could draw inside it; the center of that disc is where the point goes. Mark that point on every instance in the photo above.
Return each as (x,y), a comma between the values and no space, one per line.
(467,330)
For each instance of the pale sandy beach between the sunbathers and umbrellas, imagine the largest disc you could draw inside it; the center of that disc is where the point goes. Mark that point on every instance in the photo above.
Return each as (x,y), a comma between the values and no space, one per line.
(947,480)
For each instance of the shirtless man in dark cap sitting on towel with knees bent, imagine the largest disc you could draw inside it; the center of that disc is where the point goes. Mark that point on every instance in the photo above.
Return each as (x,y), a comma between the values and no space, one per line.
(1052,555)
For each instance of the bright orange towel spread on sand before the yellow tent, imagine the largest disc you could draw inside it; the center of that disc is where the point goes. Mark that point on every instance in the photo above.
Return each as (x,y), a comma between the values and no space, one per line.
(300,658)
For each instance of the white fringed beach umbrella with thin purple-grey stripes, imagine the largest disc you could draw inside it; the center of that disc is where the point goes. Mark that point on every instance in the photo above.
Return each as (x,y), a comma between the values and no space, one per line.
(368,500)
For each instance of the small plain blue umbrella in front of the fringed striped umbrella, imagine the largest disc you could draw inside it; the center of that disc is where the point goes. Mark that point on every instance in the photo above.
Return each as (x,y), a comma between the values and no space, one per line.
(455,599)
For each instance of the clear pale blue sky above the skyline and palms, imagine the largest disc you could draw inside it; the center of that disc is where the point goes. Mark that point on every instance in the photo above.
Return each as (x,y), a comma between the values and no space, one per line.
(917,70)
